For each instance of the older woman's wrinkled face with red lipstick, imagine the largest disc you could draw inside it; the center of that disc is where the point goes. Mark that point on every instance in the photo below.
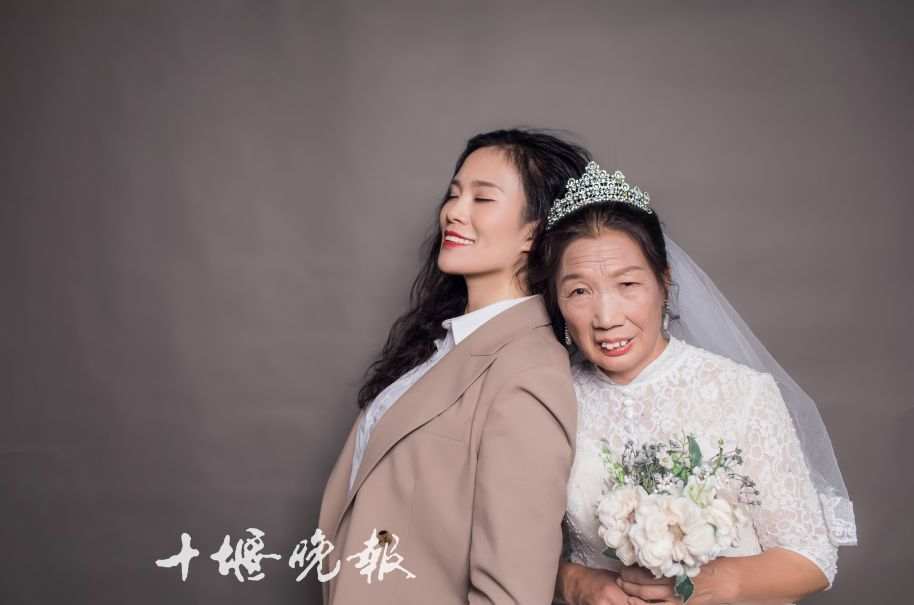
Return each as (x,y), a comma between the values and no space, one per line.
(612,303)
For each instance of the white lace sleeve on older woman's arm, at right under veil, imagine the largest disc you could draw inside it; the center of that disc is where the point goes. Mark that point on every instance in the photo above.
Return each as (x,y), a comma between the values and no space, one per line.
(790,515)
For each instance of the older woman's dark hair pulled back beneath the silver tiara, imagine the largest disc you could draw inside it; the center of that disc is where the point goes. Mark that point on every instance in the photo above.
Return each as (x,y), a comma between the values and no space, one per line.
(547,250)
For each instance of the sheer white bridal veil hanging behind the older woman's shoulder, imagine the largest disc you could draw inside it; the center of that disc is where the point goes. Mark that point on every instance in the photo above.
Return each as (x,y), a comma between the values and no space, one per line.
(706,319)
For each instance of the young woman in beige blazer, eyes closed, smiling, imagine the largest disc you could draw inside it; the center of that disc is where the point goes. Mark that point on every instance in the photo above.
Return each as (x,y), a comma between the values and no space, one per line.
(456,466)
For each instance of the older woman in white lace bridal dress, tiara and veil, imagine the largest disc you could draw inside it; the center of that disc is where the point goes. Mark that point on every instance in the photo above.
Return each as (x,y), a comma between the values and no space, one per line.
(604,266)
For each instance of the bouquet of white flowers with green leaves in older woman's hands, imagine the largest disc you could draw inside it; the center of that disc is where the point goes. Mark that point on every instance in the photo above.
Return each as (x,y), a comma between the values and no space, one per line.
(671,510)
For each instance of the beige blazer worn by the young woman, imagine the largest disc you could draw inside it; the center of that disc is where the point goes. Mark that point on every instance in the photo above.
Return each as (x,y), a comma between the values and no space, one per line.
(468,470)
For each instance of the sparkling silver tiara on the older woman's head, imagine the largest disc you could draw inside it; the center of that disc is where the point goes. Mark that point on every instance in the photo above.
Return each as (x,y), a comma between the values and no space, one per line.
(595,186)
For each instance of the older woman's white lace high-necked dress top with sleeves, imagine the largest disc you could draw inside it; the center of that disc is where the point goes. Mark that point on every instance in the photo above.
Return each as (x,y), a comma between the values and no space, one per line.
(689,390)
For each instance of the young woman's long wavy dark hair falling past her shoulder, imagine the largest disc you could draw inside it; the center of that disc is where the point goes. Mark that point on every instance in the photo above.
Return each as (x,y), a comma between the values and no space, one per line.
(544,162)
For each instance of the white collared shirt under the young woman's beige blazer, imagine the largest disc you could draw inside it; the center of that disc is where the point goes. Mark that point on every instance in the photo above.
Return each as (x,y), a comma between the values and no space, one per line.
(458,328)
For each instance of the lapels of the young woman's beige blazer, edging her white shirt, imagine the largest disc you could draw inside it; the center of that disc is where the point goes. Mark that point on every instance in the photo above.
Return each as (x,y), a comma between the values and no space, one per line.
(437,390)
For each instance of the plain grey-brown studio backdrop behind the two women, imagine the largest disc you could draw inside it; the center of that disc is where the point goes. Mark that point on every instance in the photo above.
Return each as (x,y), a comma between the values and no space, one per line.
(211,214)
